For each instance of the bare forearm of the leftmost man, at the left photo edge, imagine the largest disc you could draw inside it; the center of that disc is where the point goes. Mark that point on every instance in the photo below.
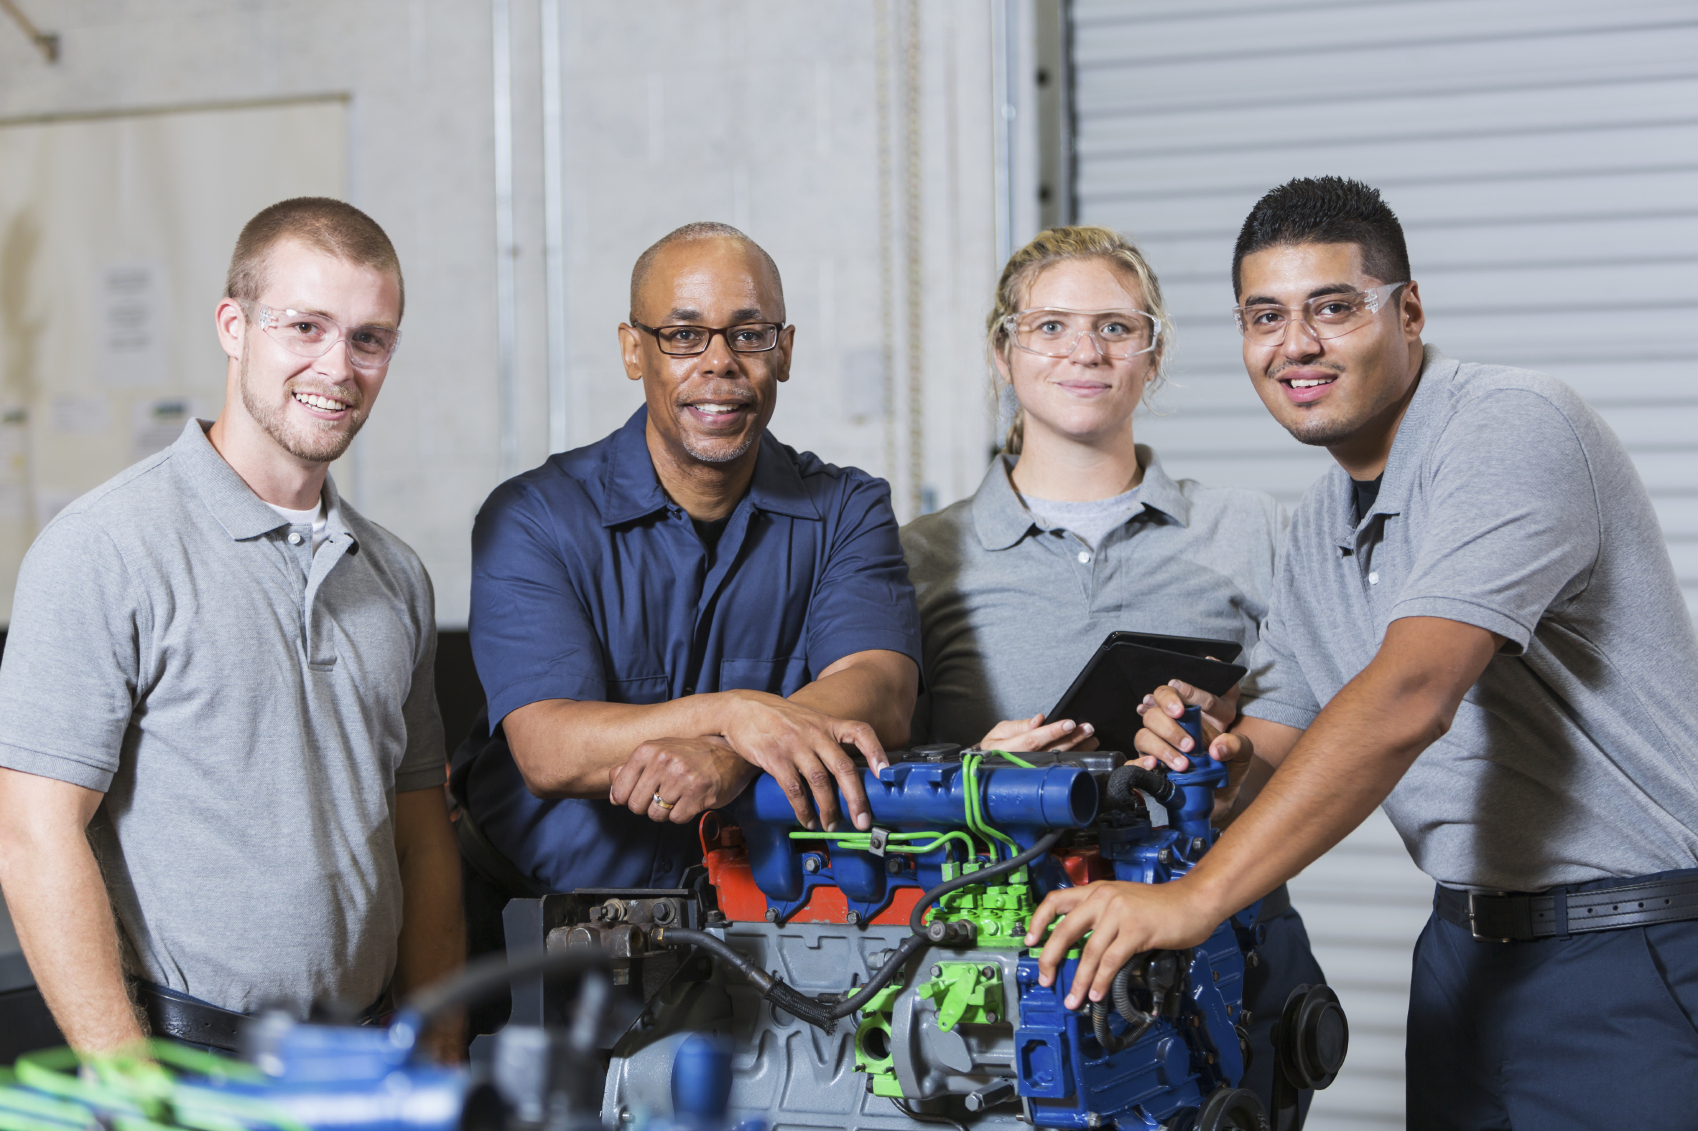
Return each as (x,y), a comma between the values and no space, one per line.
(62,913)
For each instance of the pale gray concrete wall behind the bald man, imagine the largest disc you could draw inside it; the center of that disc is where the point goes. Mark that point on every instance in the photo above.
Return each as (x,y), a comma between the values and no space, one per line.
(758,113)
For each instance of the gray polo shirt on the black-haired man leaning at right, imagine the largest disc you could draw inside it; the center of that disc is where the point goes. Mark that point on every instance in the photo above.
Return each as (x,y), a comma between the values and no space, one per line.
(1512,507)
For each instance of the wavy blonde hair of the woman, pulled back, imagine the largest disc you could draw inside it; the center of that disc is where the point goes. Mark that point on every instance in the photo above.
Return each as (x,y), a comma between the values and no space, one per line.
(1067,245)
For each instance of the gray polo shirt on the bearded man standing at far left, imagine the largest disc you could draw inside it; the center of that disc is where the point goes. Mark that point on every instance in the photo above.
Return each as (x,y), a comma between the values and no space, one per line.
(249,709)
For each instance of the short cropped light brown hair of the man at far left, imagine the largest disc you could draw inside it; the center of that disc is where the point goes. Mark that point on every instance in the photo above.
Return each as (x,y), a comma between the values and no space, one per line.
(330,227)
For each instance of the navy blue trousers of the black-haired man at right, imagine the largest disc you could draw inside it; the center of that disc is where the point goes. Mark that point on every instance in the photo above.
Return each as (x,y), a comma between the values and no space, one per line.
(1556,1035)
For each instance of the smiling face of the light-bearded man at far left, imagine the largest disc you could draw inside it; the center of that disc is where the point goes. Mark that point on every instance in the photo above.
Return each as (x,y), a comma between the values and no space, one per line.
(313,408)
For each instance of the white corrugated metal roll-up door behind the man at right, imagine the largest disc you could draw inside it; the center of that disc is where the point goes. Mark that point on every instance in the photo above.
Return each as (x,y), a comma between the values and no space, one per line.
(1544,160)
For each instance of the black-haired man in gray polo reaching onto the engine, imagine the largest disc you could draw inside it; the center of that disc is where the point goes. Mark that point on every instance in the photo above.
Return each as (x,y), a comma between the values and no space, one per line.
(1478,626)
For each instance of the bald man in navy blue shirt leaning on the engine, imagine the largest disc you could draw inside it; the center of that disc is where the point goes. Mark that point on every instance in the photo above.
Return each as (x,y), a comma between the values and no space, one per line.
(665,614)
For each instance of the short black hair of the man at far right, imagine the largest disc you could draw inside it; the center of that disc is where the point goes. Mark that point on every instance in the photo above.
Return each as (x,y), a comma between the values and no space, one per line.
(1327,210)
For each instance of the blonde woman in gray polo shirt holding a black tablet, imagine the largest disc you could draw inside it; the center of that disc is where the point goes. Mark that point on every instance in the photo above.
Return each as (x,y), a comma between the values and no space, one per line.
(1077,532)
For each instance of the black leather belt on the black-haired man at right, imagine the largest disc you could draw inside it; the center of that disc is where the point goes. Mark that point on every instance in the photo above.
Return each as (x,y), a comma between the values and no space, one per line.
(1517,918)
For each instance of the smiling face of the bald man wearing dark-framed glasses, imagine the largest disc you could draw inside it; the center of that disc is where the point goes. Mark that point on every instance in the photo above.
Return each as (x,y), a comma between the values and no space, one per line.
(709,408)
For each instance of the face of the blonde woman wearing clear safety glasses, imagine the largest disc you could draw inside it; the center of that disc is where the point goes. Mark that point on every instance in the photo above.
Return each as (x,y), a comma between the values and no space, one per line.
(1084,397)
